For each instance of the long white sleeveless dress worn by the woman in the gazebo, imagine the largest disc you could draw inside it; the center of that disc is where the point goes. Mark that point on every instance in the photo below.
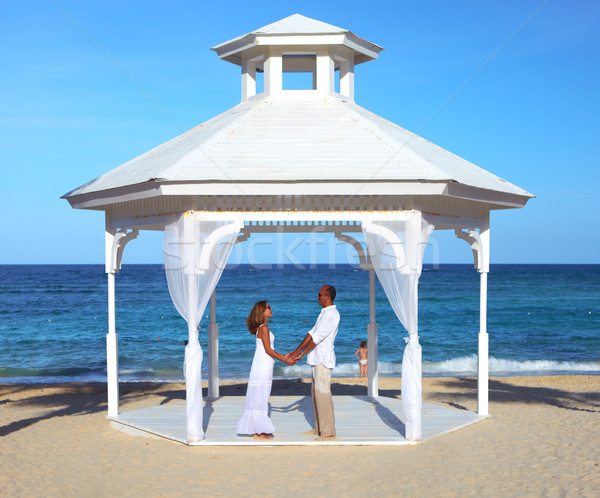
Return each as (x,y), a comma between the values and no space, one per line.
(255,419)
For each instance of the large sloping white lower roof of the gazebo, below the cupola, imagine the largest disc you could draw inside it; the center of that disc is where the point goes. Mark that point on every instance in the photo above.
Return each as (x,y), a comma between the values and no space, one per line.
(297,136)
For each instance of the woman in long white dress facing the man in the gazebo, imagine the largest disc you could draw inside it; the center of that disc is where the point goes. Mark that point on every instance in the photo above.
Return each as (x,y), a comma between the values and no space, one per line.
(255,419)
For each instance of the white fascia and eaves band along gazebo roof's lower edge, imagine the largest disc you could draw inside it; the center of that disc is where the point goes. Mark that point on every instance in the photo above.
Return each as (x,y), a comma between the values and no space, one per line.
(172,198)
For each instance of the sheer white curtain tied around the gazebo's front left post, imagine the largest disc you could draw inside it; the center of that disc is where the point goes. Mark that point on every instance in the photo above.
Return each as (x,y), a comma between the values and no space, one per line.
(196,252)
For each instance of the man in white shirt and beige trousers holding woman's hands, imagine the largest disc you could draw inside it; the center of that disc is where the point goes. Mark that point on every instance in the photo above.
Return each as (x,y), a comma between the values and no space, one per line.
(318,343)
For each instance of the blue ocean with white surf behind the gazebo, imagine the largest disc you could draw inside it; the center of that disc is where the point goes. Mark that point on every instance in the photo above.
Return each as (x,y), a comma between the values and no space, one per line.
(542,319)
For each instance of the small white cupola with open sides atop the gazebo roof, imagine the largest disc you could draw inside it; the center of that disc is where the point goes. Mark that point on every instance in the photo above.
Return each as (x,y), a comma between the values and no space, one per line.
(298,44)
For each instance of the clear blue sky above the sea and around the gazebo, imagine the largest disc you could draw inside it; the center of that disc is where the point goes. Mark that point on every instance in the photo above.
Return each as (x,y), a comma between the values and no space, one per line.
(511,86)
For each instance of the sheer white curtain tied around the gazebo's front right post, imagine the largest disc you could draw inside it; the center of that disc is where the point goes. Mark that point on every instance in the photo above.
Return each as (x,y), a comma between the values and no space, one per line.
(396,249)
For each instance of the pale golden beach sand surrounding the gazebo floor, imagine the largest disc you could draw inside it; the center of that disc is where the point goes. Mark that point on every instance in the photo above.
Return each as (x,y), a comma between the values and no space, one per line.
(541,440)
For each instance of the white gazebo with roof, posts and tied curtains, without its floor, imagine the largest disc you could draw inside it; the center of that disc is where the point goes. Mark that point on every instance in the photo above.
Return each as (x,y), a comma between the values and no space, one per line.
(304,161)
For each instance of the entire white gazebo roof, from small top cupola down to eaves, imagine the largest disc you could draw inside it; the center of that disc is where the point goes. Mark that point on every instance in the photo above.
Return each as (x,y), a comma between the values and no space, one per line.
(298,150)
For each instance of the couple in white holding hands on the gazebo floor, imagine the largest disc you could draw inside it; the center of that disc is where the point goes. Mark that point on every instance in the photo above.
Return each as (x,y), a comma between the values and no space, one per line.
(317,346)
